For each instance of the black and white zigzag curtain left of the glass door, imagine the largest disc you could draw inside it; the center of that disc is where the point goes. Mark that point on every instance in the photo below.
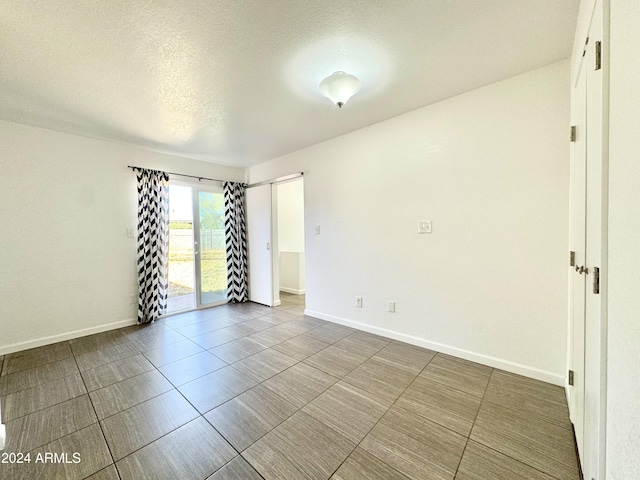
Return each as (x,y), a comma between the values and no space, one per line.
(153,243)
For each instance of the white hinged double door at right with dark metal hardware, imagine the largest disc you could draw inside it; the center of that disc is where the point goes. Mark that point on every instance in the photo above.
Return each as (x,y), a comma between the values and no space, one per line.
(588,217)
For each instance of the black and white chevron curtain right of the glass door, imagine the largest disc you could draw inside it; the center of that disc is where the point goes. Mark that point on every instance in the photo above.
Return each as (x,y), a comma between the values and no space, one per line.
(236,241)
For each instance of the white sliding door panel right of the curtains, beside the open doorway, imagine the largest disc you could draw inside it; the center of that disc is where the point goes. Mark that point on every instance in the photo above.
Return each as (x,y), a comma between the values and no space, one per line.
(260,260)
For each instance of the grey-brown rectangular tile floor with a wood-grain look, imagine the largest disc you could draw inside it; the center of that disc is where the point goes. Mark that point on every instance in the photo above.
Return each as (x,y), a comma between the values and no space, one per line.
(249,392)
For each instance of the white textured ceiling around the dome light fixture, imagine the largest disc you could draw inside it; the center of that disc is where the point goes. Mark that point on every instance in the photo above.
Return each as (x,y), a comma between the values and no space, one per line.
(236,82)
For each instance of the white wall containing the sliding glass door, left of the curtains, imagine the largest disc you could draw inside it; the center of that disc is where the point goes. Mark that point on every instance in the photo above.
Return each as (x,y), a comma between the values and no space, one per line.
(67,267)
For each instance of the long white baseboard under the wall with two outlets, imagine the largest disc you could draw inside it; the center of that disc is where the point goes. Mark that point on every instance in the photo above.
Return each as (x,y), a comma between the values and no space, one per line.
(494,362)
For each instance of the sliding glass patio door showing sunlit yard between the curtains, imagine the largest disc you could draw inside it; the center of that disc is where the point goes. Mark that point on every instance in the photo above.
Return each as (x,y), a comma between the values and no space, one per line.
(197,256)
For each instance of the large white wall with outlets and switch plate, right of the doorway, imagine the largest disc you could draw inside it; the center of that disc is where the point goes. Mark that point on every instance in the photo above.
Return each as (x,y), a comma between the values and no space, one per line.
(490,169)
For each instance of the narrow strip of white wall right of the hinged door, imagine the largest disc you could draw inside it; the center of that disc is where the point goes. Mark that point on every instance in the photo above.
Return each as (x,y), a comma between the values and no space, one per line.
(623,392)
